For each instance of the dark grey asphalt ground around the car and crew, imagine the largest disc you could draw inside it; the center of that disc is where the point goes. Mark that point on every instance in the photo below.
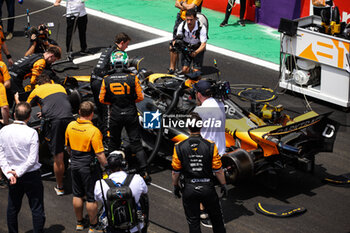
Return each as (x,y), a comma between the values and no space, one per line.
(327,205)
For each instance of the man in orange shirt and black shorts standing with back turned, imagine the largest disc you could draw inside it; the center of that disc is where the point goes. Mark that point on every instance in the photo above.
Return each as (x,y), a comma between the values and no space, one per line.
(84,141)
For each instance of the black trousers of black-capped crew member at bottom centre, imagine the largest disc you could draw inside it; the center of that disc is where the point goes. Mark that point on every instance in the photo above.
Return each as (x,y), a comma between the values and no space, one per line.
(193,195)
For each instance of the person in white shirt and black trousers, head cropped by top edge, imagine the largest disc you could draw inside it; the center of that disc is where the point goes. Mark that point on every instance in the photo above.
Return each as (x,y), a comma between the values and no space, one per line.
(75,8)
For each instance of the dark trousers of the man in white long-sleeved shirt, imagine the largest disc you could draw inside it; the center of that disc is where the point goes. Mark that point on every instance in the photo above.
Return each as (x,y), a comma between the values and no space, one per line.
(31,185)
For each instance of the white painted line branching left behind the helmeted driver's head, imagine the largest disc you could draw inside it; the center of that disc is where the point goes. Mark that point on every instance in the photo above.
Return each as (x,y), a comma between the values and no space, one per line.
(130,48)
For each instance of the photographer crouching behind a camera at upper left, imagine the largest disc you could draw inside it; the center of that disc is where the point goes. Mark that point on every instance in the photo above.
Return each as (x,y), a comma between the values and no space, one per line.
(40,40)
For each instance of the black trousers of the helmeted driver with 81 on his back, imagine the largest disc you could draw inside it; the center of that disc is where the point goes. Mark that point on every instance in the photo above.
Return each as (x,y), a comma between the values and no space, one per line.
(131,124)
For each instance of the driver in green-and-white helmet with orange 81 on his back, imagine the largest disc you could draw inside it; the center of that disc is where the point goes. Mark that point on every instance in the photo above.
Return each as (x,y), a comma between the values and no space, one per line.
(122,90)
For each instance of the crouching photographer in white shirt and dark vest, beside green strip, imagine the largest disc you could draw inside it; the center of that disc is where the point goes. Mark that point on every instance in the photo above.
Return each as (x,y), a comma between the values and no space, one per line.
(191,39)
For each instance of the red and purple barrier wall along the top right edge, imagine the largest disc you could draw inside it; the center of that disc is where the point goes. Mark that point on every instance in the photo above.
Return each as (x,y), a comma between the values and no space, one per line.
(271,11)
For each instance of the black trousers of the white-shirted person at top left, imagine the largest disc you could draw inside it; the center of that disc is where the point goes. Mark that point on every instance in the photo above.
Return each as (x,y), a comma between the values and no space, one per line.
(82,25)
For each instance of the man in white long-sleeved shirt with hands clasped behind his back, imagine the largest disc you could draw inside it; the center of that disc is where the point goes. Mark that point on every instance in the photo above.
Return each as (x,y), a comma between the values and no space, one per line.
(19,160)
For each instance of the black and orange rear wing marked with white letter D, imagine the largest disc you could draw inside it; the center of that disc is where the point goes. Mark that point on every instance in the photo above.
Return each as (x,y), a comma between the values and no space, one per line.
(309,133)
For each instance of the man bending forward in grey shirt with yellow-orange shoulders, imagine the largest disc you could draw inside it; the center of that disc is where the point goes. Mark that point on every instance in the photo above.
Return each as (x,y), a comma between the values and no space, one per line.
(56,111)
